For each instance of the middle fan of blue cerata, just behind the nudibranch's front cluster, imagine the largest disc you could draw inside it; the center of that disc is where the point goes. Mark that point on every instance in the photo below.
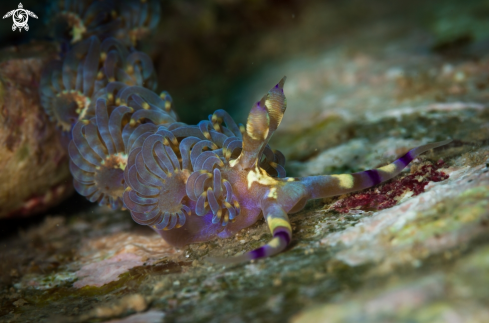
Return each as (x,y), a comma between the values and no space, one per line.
(100,145)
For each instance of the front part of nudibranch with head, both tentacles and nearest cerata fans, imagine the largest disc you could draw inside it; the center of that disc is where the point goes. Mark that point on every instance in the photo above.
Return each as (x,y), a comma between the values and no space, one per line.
(195,183)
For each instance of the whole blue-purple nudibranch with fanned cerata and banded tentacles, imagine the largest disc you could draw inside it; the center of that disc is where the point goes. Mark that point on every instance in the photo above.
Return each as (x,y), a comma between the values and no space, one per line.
(189,183)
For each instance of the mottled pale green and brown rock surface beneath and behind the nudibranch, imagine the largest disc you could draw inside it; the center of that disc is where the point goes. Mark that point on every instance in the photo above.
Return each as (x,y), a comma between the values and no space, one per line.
(414,249)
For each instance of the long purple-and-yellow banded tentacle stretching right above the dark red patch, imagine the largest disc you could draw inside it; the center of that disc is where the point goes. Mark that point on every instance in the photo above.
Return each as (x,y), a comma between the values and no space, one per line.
(322,186)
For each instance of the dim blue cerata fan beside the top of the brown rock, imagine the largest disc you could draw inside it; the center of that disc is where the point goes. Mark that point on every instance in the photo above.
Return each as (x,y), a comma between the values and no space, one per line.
(69,88)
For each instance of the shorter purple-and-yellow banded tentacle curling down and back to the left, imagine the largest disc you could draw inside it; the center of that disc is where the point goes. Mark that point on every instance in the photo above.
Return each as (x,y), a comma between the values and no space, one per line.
(279,225)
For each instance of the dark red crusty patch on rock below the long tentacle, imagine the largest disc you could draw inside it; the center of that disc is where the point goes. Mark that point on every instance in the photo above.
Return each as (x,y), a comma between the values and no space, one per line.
(389,194)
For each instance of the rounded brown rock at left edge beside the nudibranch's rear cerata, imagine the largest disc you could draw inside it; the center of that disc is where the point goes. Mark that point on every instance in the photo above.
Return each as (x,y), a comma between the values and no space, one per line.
(34,174)
